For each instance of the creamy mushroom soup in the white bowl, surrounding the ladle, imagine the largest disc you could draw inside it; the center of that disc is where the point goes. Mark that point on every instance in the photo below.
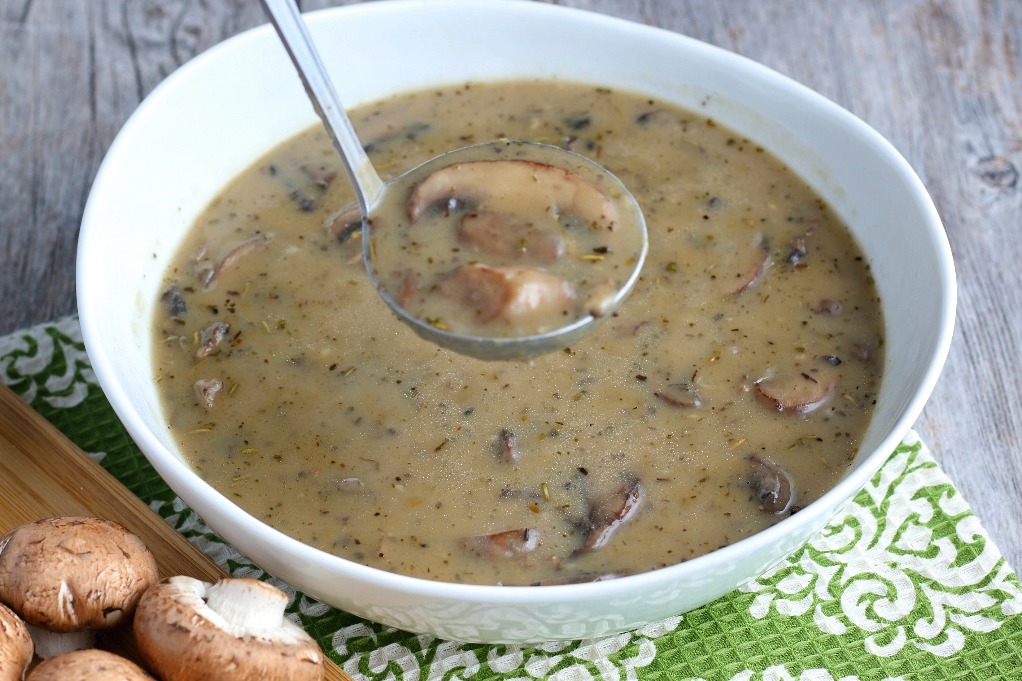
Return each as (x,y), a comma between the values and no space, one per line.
(732,388)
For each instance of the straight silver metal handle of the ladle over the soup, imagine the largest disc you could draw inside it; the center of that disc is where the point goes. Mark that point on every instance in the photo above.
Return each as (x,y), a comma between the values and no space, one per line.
(291,27)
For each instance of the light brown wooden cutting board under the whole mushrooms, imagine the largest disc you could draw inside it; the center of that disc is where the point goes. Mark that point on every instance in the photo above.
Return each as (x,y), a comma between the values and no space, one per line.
(43,474)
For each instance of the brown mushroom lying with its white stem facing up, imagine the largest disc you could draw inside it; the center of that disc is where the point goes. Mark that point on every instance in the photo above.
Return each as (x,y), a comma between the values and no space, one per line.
(182,639)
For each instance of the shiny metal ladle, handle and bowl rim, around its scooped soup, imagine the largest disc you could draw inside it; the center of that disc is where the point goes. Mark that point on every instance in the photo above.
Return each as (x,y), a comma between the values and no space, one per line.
(373,193)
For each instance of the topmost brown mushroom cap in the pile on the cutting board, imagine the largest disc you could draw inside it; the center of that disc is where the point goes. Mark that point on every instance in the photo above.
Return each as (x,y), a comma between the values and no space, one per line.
(69,574)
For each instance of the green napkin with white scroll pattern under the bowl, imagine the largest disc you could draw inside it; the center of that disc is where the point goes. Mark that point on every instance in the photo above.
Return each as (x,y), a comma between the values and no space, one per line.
(904,584)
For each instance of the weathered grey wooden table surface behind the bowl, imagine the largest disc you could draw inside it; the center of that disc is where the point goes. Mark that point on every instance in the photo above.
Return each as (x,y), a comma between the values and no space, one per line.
(940,79)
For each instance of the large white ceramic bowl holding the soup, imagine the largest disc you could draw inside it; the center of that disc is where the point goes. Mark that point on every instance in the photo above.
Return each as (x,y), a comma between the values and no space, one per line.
(215,116)
